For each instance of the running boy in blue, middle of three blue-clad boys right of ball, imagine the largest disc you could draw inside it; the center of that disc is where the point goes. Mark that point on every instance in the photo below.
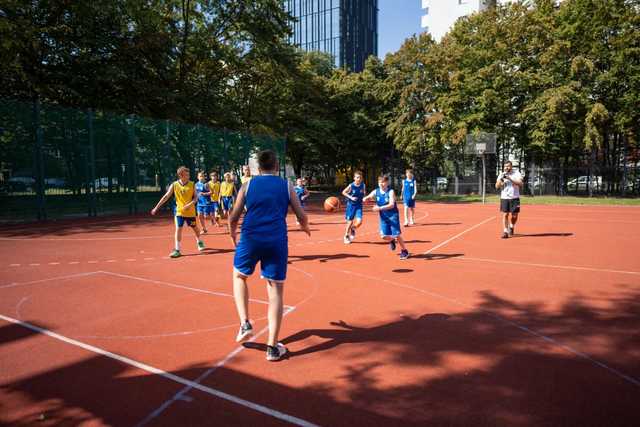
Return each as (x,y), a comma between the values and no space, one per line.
(389,216)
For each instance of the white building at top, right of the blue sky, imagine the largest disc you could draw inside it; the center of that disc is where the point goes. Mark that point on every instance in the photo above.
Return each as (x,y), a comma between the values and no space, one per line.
(440,15)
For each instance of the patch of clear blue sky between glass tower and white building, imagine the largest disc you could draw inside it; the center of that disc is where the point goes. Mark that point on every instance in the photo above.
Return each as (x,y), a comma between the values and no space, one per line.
(397,20)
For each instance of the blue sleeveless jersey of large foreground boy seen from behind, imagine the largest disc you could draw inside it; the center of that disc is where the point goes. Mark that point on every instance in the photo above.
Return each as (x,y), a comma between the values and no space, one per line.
(267,203)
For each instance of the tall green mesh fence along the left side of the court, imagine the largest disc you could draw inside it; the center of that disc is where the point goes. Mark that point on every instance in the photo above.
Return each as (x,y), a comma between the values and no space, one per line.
(58,162)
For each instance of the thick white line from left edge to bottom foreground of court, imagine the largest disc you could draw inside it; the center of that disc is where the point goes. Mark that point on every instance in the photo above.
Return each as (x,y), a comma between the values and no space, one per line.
(143,366)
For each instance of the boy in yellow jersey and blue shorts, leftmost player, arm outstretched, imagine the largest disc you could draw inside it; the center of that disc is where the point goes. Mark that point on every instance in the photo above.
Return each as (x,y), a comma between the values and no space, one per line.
(185,194)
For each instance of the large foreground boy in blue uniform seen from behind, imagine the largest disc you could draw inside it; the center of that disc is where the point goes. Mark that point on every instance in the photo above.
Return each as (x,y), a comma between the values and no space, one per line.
(263,239)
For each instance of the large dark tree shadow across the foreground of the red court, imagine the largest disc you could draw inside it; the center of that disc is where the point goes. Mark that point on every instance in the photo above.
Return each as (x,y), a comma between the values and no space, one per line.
(468,368)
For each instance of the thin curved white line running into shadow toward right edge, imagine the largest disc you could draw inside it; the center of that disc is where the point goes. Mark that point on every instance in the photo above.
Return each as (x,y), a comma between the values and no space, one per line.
(567,348)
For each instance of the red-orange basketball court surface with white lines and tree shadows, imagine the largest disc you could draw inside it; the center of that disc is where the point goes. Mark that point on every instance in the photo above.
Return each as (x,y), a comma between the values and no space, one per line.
(99,327)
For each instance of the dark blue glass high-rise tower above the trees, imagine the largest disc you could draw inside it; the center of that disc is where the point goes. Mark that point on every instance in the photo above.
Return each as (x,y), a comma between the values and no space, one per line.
(346,29)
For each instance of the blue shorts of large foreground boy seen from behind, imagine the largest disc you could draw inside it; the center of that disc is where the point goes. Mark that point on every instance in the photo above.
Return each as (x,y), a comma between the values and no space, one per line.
(273,258)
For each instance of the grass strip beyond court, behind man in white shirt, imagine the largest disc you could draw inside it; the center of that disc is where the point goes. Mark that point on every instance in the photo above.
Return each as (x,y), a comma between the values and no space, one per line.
(533,200)
